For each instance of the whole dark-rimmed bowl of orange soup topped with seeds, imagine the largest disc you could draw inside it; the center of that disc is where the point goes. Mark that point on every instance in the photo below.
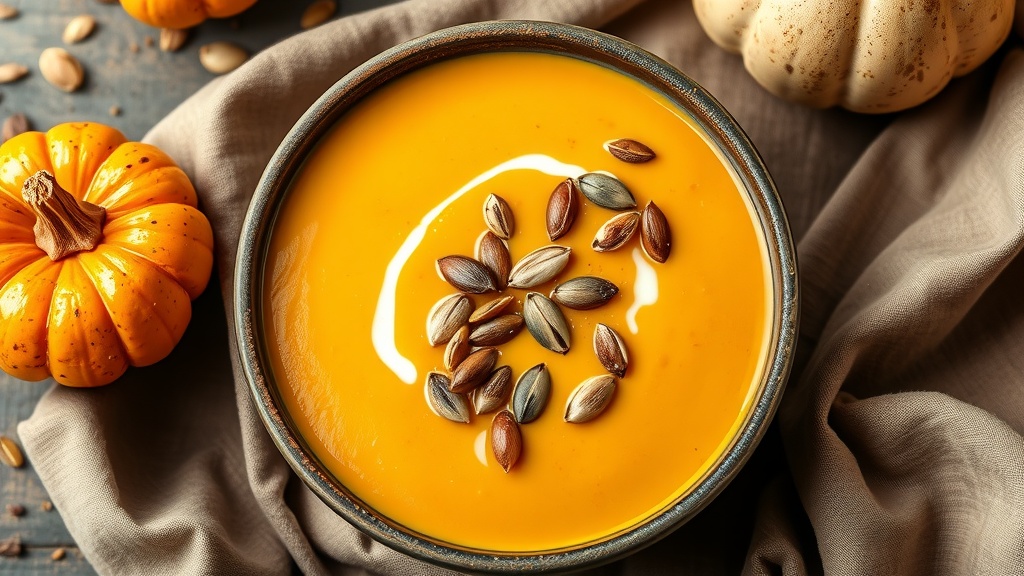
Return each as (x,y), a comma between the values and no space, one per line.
(517,297)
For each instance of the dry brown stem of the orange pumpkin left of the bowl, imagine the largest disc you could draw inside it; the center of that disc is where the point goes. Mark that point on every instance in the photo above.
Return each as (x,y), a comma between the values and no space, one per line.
(64,224)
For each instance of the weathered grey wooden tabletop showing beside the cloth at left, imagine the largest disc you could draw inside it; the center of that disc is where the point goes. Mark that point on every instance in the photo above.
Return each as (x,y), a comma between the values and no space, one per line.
(124,69)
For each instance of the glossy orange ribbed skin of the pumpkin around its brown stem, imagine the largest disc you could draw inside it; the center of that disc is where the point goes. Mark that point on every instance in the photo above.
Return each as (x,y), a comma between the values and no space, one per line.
(86,318)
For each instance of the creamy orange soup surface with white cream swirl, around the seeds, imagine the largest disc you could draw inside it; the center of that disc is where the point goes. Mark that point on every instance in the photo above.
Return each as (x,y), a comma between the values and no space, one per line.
(400,183)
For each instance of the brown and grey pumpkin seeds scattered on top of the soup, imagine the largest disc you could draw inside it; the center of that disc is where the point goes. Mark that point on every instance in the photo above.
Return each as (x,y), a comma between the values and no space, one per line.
(473,337)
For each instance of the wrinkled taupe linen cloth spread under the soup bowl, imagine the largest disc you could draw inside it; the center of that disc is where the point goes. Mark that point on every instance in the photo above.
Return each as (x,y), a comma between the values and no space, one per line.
(898,448)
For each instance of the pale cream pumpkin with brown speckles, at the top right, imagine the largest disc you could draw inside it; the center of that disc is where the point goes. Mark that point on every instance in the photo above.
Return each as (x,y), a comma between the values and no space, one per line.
(872,58)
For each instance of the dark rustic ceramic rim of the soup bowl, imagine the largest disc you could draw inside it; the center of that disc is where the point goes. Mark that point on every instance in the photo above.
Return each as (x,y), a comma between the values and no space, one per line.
(583,44)
